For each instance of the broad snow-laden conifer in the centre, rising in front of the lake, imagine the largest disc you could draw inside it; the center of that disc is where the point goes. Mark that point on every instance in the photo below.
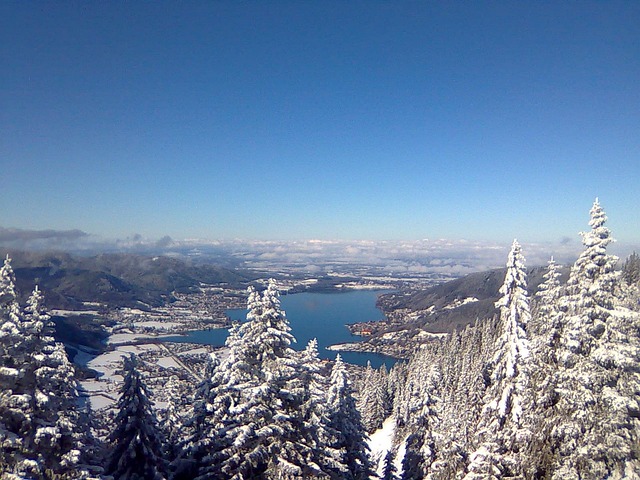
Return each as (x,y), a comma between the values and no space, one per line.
(257,408)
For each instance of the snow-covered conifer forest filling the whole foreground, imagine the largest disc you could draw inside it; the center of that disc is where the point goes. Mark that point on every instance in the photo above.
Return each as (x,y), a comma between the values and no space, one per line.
(548,388)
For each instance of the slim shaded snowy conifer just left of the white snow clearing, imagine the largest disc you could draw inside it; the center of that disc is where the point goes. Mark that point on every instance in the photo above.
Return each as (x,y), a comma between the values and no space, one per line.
(346,420)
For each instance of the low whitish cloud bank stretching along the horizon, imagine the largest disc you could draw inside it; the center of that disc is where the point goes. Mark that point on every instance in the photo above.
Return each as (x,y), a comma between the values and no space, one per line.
(419,257)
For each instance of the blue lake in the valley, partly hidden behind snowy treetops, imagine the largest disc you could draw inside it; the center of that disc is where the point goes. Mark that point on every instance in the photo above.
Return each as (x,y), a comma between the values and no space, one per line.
(315,315)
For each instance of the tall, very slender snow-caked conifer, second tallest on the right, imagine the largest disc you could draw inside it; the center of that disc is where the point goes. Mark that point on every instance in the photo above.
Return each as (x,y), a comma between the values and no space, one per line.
(502,428)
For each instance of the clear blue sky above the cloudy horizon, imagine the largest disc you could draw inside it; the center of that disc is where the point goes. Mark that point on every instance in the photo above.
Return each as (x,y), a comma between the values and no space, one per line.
(327,119)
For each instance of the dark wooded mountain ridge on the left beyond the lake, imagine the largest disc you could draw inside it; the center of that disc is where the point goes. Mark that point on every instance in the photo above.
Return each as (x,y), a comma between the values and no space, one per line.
(114,279)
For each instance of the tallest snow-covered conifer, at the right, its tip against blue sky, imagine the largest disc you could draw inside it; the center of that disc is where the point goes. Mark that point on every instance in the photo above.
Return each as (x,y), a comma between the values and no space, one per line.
(596,429)
